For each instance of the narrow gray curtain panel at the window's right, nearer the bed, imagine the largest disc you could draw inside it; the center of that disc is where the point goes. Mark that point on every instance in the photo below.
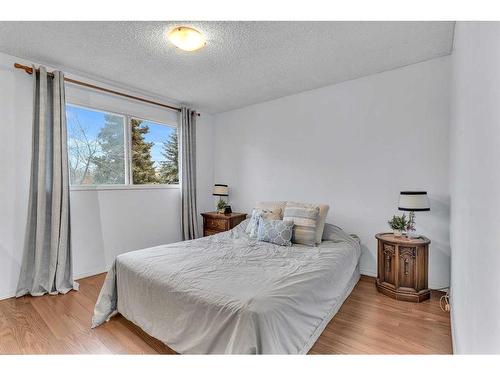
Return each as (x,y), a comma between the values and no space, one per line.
(187,150)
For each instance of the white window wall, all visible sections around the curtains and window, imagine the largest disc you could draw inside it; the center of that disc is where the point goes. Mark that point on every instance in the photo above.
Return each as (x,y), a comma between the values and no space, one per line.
(104,223)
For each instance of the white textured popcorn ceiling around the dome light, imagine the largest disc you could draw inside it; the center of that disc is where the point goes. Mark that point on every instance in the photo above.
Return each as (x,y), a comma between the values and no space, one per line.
(243,63)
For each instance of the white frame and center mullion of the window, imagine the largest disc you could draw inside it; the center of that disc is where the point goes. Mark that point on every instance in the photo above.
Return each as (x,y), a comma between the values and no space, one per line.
(127,143)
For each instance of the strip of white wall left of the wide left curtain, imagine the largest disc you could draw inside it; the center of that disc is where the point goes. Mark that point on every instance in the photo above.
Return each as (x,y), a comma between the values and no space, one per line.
(15,143)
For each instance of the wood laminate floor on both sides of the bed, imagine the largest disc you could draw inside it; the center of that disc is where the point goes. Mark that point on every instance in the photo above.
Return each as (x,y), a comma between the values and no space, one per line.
(367,323)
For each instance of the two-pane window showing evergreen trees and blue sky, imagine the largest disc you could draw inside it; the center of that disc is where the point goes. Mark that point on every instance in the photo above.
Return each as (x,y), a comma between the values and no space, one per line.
(113,149)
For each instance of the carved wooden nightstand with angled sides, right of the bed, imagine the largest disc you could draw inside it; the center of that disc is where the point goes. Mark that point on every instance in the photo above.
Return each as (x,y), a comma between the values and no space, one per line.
(403,267)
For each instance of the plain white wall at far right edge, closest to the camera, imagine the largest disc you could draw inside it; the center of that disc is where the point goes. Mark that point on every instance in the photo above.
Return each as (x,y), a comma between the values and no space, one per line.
(475,188)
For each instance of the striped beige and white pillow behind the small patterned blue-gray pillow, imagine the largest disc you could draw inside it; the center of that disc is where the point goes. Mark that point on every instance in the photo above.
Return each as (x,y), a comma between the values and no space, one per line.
(305,218)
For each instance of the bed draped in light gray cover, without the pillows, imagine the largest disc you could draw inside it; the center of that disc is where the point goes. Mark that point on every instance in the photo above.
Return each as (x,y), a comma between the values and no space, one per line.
(230,294)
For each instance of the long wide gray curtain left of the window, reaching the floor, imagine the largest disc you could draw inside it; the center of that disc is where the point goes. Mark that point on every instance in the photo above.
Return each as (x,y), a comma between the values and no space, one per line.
(47,264)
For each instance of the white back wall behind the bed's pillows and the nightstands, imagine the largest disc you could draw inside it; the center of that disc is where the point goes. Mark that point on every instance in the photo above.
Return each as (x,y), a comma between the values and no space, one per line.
(354,146)
